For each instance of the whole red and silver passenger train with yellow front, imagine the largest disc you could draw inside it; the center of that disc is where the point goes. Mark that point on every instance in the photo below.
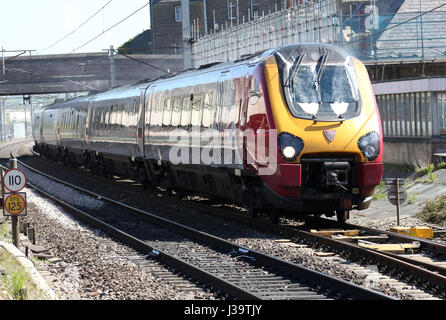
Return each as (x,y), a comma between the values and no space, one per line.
(302,123)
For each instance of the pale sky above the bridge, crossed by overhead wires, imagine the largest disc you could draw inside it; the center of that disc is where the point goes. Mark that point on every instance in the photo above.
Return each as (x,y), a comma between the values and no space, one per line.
(37,24)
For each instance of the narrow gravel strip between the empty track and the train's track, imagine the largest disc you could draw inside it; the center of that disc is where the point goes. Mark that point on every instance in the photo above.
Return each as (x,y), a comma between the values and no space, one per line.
(245,236)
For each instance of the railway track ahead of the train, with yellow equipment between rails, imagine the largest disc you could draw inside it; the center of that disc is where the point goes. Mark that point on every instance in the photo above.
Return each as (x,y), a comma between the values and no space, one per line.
(422,263)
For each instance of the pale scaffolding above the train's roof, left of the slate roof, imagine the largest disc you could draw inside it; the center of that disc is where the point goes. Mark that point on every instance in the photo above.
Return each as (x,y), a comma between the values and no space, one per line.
(315,22)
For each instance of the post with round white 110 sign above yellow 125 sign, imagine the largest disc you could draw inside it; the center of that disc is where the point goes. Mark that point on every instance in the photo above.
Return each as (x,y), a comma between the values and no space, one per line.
(14,203)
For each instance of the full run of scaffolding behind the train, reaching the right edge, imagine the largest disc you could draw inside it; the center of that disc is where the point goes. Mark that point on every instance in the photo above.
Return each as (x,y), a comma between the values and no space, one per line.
(409,33)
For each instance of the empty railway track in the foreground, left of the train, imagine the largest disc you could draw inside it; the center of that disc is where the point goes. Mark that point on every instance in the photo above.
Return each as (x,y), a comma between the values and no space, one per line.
(239,272)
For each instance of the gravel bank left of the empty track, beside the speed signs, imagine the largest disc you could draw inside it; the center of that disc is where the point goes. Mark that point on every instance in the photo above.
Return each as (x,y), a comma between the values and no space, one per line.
(93,266)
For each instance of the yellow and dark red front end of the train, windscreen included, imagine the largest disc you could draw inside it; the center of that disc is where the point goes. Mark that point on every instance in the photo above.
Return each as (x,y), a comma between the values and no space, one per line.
(330,140)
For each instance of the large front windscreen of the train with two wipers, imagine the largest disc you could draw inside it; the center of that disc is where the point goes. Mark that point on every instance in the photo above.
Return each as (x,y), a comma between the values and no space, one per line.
(320,87)
